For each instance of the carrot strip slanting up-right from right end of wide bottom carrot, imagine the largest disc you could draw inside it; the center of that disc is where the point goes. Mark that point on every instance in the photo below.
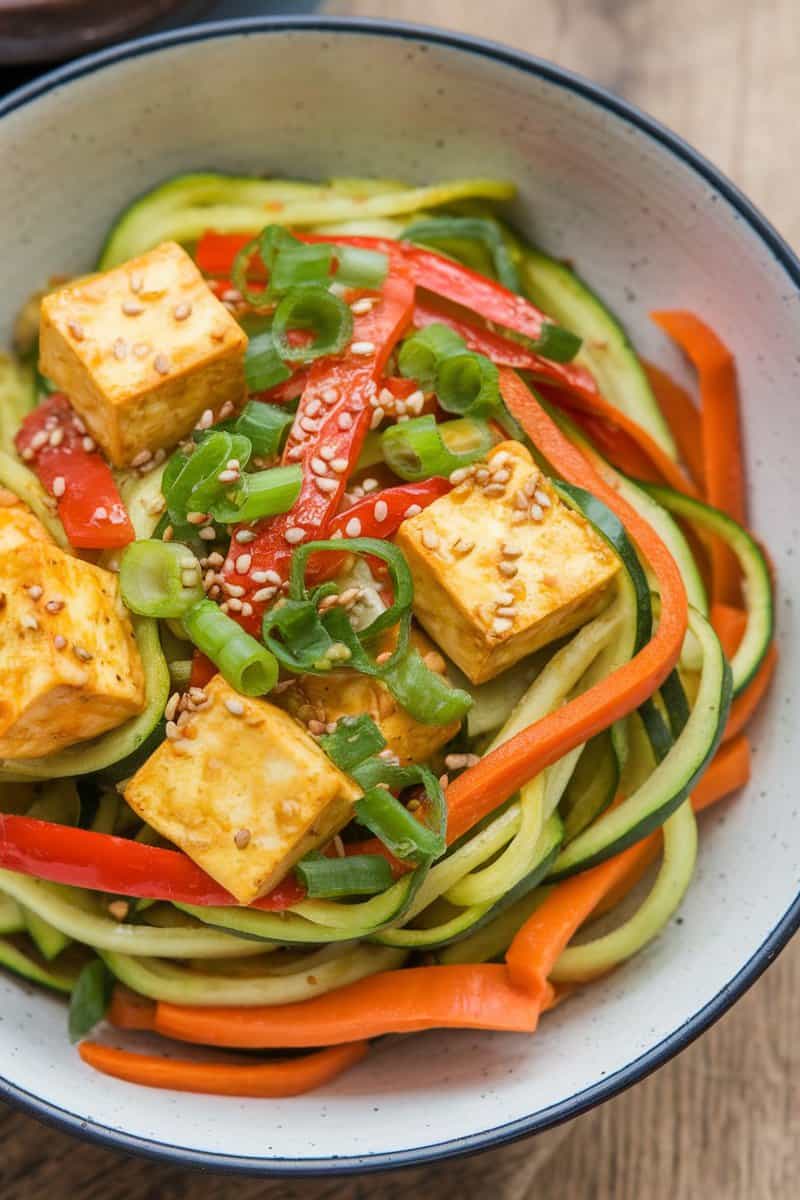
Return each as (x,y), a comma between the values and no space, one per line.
(538,945)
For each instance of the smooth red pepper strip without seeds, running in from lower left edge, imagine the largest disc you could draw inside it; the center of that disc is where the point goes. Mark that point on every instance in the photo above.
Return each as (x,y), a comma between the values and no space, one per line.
(105,863)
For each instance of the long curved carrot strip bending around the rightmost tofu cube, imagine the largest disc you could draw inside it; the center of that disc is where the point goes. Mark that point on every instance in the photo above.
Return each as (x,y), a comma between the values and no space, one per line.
(480,789)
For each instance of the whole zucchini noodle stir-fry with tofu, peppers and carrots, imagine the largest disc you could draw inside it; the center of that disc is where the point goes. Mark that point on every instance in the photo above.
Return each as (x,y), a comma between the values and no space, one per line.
(374,625)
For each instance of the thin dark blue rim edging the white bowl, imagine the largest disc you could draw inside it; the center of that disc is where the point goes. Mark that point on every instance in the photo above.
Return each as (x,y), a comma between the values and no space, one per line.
(581,1102)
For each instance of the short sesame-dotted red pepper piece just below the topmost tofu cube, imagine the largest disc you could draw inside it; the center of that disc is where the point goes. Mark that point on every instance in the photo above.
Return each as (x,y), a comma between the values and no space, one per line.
(53,443)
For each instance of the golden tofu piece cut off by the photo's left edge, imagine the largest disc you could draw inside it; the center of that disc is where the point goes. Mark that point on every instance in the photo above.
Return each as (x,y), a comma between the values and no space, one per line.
(69,663)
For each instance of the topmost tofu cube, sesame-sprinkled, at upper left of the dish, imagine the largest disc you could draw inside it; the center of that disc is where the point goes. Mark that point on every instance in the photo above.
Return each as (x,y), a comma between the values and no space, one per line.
(142,351)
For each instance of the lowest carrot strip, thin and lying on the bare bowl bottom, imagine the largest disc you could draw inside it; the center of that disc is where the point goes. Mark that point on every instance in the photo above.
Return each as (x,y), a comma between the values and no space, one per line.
(266,1079)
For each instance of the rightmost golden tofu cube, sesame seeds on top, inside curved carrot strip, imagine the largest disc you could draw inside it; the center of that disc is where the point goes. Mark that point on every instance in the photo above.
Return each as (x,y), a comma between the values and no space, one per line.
(502,567)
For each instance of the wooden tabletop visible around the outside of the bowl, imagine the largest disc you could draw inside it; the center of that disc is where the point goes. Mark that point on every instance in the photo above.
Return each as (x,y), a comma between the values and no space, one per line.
(721,1123)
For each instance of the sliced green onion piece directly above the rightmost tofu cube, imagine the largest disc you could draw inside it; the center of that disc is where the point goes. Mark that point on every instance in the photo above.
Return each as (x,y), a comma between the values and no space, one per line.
(420,448)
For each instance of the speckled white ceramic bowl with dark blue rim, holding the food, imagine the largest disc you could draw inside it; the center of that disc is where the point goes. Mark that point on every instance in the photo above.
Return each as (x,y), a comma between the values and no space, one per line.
(651,225)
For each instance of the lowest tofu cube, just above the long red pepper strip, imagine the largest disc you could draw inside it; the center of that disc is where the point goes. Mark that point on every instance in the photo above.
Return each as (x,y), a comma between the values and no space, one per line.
(245,791)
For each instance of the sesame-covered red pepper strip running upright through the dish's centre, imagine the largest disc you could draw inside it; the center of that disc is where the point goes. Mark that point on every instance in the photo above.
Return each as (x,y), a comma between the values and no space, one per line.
(333,419)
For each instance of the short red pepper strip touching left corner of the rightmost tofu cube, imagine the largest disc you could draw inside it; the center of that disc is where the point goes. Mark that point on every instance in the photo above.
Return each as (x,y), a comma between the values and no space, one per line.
(362,520)
